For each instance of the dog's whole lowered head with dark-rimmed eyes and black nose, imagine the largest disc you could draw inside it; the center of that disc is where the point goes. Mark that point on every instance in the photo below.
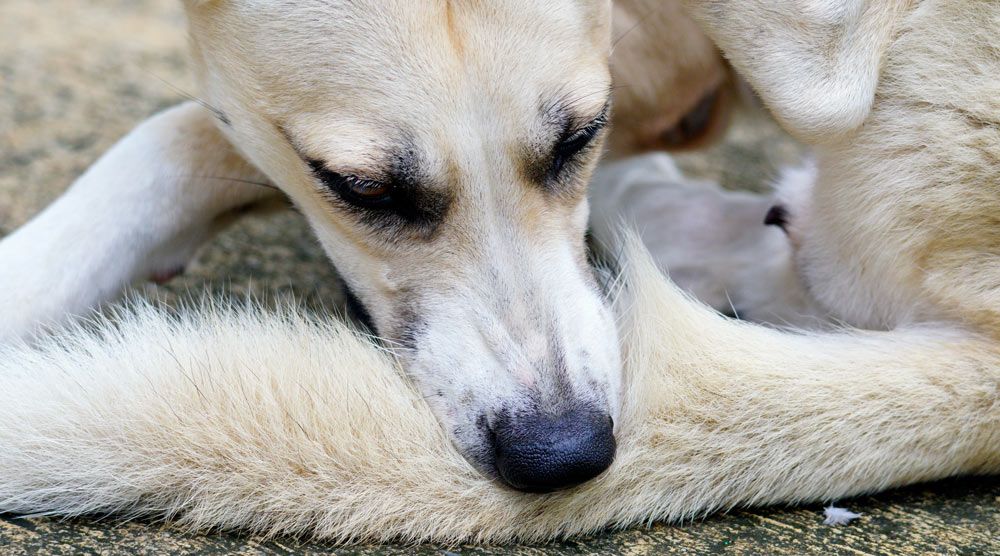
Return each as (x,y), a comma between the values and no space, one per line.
(441,150)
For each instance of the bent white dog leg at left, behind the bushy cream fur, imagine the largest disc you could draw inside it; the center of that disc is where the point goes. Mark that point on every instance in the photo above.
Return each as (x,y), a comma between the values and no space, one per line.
(138,213)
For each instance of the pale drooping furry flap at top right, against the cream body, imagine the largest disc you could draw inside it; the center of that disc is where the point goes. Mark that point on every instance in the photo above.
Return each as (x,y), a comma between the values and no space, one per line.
(815,63)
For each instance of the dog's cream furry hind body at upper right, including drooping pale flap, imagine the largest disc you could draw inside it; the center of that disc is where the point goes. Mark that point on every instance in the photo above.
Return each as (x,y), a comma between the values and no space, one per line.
(901,102)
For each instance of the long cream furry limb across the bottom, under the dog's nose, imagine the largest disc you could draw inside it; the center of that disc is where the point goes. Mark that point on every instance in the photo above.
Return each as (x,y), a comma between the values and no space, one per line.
(277,424)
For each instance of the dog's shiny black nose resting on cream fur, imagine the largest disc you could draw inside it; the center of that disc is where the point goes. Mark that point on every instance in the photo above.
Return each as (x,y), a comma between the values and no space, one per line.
(538,453)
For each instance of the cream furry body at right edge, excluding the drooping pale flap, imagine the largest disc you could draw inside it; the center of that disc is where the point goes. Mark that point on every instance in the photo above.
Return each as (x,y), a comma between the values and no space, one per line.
(900,226)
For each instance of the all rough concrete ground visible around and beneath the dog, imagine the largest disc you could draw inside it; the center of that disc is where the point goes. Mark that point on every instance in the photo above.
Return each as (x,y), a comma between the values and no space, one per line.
(75,76)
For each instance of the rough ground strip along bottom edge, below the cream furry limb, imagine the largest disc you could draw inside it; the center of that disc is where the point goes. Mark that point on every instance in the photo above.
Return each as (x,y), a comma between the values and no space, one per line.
(957,517)
